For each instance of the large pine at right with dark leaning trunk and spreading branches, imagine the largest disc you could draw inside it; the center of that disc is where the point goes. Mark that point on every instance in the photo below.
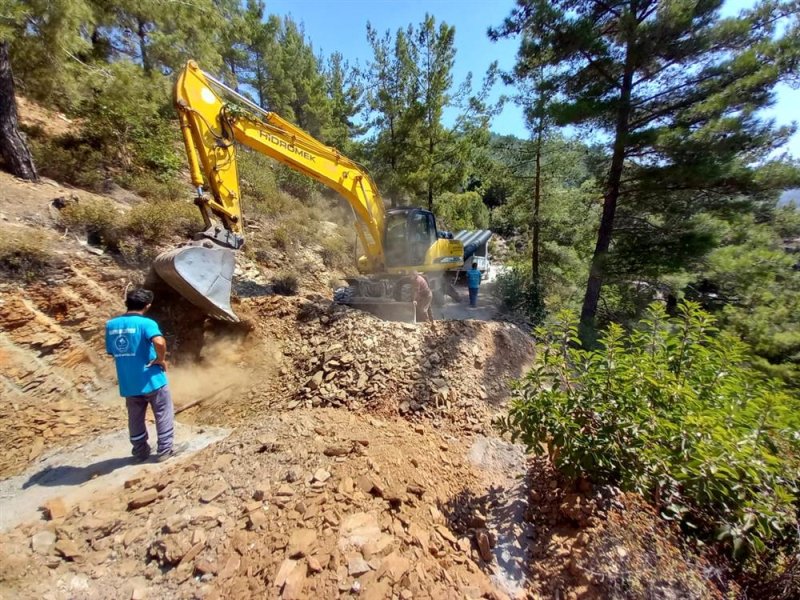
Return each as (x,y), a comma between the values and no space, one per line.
(676,90)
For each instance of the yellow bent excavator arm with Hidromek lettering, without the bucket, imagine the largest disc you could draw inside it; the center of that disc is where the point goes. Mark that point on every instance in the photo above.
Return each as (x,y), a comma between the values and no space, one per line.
(210,126)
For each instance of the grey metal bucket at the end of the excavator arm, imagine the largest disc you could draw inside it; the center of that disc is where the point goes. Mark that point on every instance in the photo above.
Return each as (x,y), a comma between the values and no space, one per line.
(202,276)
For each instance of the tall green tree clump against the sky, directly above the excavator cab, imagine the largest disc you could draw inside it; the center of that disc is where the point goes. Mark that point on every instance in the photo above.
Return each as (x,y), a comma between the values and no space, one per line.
(415,156)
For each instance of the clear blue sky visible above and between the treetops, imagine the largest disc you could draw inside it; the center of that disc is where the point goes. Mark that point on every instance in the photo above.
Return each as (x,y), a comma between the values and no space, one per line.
(340,25)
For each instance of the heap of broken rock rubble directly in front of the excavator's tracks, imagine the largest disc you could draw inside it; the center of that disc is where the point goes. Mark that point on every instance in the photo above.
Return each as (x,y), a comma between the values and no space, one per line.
(308,352)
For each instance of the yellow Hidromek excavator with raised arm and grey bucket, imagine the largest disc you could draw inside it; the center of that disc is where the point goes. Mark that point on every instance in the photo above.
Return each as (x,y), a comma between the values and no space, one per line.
(213,118)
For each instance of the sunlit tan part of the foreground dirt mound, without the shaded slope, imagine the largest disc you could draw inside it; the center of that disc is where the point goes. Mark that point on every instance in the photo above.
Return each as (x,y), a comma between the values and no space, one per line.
(319,503)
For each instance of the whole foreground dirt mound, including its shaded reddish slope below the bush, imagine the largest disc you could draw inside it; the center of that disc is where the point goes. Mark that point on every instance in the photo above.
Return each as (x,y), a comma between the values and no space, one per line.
(327,503)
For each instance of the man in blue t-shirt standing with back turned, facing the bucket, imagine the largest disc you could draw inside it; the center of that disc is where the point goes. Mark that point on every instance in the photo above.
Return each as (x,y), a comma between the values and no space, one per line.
(140,353)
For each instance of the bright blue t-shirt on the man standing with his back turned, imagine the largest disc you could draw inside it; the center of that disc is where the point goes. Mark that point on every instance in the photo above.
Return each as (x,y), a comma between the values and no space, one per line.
(129,341)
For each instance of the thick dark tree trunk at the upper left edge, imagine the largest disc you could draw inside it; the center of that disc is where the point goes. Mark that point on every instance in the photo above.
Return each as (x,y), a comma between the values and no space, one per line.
(13,147)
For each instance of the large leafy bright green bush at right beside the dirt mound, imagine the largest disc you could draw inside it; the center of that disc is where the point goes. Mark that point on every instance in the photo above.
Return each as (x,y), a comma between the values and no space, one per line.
(673,411)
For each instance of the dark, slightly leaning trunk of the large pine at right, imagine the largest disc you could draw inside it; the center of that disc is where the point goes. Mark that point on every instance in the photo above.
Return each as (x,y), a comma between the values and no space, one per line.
(610,198)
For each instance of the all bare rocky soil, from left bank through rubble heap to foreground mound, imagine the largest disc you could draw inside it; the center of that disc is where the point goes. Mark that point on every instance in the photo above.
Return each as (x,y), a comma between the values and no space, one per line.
(362,461)
